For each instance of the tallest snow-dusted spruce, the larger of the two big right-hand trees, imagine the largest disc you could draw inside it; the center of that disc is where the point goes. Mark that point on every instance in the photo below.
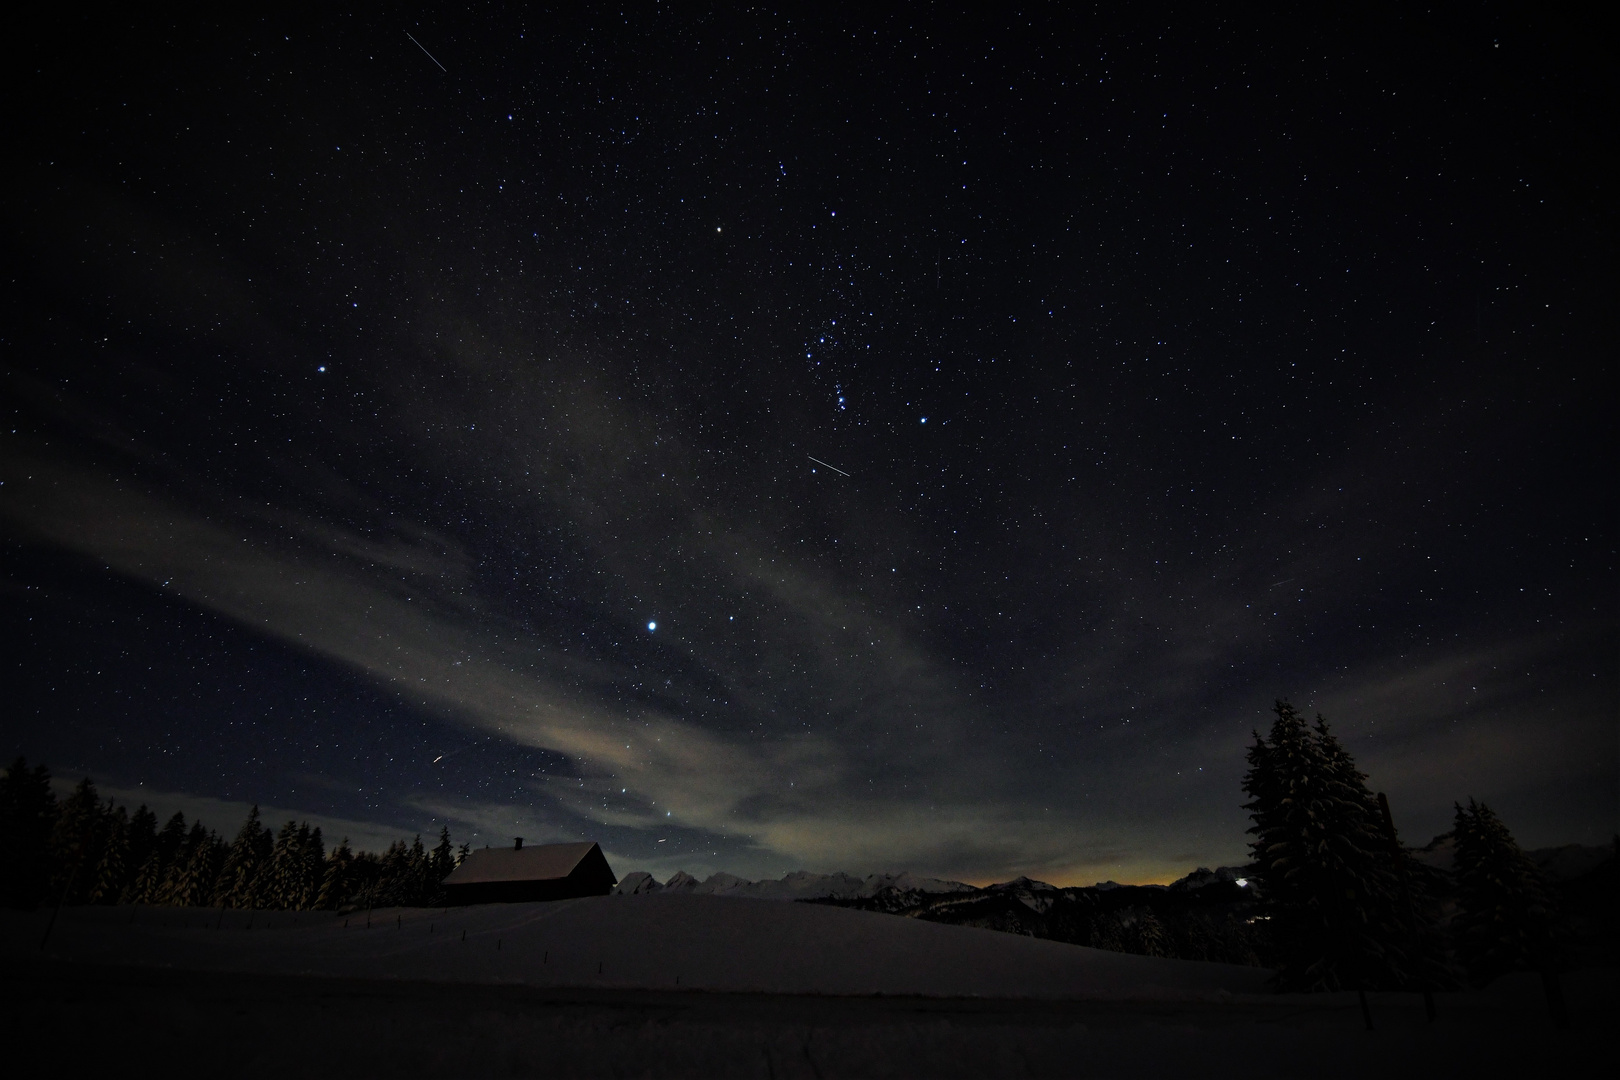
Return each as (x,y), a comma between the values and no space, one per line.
(1326,870)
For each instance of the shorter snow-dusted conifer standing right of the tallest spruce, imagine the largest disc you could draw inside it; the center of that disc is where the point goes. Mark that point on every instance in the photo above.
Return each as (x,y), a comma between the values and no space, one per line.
(1504,917)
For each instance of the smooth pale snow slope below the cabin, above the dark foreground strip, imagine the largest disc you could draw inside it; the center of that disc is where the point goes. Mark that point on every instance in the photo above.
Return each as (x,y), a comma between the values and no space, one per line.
(649,943)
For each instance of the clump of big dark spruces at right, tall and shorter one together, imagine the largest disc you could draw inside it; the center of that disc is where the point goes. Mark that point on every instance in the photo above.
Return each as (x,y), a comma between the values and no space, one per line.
(1347,903)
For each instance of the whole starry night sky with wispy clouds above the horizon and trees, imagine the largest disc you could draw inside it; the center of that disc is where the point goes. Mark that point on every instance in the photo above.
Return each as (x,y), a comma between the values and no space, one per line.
(811,440)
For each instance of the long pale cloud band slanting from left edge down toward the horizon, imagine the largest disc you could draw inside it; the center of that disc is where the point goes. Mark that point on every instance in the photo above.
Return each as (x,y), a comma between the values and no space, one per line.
(428,645)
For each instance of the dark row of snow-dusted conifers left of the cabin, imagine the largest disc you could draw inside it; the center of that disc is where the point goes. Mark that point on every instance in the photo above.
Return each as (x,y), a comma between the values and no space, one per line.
(85,851)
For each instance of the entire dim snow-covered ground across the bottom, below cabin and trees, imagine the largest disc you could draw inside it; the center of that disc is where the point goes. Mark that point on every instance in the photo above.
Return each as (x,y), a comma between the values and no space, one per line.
(637,985)
